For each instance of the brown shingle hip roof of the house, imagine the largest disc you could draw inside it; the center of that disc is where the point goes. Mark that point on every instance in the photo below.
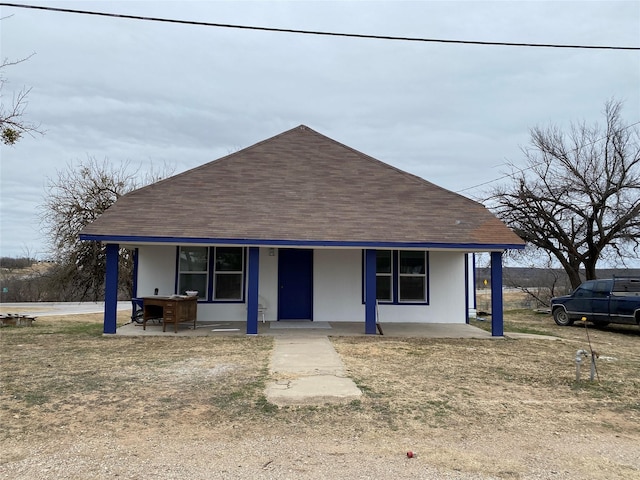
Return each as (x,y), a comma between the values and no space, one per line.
(301,186)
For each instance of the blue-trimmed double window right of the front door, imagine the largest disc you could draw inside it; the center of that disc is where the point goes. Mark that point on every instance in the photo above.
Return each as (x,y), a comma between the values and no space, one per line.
(402,276)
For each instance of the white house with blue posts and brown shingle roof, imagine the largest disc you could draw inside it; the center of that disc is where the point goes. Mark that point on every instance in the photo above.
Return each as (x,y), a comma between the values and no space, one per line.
(308,228)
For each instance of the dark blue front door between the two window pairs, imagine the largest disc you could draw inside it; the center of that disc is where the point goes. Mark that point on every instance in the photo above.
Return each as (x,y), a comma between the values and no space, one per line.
(295,282)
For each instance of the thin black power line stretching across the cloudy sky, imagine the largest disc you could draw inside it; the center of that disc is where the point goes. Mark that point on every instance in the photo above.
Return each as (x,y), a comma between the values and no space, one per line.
(316,32)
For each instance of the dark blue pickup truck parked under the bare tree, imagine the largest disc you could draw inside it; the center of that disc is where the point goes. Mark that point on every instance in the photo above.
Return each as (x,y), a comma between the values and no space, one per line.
(601,302)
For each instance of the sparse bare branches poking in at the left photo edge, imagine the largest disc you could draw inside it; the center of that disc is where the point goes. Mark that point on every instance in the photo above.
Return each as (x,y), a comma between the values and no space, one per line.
(13,123)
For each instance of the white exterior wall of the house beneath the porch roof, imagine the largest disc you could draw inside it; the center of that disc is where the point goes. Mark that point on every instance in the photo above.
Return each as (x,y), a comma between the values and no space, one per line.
(337,284)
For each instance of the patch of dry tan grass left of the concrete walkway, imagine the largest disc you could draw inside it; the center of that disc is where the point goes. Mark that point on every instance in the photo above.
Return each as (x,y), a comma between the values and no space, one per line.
(63,374)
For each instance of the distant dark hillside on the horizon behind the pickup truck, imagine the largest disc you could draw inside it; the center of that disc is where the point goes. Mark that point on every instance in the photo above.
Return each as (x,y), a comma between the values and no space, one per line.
(542,277)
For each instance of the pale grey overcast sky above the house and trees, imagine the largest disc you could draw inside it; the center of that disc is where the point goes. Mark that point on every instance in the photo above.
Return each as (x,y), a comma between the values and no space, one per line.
(156,93)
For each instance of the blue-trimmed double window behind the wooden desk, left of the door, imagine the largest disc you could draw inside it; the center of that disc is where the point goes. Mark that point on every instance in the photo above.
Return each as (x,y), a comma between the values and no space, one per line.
(217,273)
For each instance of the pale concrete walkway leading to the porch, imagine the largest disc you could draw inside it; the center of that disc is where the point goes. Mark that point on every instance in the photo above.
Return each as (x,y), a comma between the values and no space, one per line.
(306,370)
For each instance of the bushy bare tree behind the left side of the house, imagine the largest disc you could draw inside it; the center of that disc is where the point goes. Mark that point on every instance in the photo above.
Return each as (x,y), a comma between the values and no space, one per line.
(79,195)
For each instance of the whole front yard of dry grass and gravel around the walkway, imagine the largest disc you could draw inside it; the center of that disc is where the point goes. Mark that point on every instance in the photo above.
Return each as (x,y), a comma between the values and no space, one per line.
(77,405)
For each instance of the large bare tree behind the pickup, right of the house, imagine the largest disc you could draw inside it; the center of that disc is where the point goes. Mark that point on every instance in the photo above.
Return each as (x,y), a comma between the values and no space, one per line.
(579,196)
